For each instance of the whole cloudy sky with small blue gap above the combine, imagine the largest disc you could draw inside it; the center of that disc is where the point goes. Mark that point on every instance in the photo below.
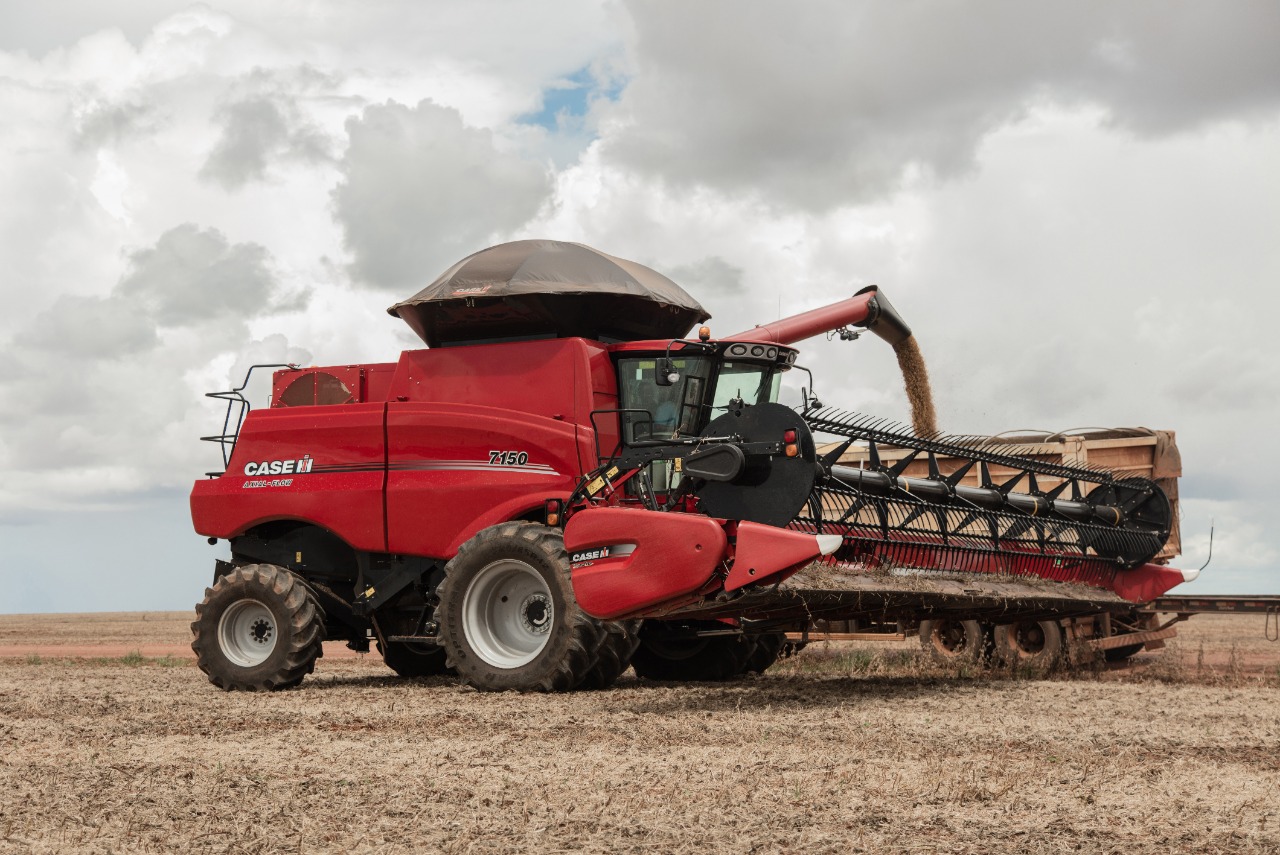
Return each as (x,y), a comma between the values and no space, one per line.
(1077,207)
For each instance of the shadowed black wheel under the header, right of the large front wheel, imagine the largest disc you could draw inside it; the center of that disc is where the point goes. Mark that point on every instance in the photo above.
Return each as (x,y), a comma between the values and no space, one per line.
(664,656)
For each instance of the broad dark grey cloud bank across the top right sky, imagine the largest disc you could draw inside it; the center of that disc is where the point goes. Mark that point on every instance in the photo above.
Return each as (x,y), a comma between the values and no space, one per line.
(825,104)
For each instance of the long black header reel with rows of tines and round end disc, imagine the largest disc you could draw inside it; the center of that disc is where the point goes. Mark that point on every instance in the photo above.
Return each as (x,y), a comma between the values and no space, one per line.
(1064,523)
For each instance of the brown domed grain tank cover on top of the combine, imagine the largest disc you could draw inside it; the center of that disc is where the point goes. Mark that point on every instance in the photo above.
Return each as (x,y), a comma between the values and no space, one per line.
(529,290)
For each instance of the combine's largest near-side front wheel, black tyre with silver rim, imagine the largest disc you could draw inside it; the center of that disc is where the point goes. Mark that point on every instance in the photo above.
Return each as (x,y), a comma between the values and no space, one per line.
(509,618)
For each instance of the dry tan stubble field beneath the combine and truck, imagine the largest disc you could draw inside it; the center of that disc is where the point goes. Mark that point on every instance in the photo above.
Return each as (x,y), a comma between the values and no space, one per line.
(840,749)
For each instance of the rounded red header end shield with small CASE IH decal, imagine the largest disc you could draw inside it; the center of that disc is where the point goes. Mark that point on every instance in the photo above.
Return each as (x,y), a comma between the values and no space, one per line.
(675,557)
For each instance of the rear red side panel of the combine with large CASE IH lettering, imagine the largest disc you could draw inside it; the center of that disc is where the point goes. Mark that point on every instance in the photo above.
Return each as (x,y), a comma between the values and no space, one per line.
(342,490)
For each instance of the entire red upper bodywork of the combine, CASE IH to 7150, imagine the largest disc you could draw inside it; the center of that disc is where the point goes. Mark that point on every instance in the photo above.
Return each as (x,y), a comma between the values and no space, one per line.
(456,441)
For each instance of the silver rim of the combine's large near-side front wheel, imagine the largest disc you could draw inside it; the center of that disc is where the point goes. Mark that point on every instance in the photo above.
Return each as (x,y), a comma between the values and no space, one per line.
(508,615)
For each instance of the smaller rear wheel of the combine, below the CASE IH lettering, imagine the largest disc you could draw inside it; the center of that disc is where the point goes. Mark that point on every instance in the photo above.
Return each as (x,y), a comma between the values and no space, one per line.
(259,629)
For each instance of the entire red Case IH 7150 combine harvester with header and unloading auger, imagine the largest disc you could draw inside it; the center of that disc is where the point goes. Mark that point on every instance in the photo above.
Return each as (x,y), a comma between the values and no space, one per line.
(563,486)
